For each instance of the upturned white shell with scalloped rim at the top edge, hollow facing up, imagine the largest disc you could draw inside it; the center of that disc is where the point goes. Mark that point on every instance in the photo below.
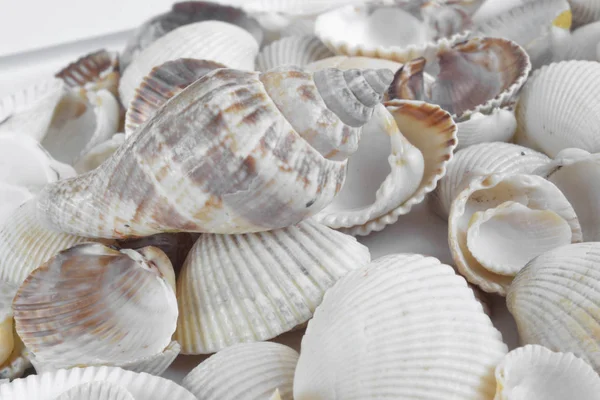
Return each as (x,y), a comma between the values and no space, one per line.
(399,33)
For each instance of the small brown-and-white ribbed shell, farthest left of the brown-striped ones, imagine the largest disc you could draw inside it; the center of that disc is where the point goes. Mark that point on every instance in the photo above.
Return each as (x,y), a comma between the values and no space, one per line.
(96,71)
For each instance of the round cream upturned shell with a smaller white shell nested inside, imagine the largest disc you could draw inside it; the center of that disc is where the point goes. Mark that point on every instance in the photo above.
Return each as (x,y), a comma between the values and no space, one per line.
(500,222)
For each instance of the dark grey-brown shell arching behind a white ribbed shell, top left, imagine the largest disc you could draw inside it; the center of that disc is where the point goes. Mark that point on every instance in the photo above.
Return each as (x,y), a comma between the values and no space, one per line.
(181,14)
